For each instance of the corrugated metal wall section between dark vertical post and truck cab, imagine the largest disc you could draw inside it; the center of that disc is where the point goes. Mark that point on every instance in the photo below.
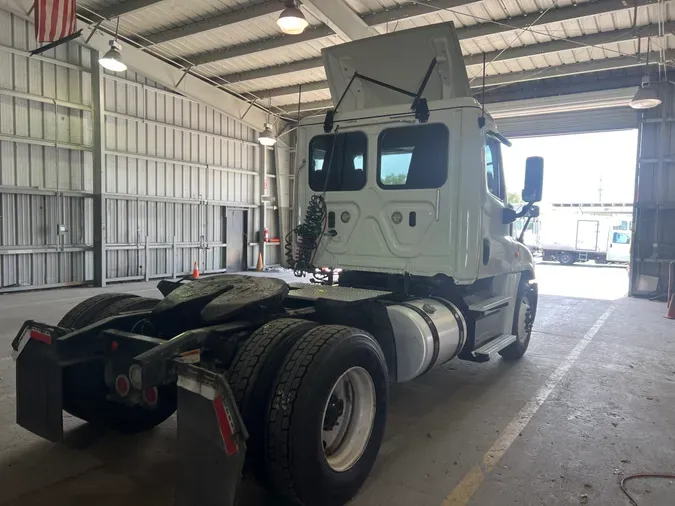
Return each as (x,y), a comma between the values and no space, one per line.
(172,168)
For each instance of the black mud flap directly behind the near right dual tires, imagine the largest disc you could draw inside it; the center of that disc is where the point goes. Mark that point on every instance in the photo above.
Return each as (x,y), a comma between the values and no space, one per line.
(211,440)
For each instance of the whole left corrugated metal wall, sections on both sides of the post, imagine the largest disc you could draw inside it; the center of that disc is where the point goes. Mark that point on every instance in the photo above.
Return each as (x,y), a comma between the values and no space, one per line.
(172,168)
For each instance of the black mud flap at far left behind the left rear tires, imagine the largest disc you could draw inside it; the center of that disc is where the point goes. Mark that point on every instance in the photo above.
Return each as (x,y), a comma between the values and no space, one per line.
(39,390)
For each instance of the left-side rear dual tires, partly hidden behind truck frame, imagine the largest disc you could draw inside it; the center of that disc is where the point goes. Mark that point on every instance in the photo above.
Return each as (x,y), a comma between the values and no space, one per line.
(84,389)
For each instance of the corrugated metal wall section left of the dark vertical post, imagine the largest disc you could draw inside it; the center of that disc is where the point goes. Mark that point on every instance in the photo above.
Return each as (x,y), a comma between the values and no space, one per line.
(45,161)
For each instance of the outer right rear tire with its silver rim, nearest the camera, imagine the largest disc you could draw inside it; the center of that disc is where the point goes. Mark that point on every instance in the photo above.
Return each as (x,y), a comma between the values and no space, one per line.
(327,416)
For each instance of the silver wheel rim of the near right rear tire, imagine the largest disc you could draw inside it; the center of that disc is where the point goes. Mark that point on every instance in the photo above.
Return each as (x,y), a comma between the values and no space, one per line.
(348,419)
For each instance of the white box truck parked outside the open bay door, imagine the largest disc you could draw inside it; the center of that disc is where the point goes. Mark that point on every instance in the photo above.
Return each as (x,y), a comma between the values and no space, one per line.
(570,238)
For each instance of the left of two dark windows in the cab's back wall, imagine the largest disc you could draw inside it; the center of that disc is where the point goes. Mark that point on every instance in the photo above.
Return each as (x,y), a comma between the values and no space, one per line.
(337,162)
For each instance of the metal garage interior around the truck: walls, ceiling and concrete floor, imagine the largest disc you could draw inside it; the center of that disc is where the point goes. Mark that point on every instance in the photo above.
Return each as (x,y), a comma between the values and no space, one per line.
(144,174)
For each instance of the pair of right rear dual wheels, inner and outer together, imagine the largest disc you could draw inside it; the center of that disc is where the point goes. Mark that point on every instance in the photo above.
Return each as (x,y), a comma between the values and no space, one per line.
(316,427)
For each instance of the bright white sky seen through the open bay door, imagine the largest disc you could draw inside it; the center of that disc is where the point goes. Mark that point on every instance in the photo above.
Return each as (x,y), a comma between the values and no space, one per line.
(575,164)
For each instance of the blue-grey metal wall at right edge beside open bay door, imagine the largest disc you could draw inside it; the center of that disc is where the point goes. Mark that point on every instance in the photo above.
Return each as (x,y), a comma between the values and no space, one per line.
(654,219)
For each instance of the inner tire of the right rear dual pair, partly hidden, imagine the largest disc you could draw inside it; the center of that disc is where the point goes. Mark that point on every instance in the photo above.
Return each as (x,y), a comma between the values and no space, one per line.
(252,376)
